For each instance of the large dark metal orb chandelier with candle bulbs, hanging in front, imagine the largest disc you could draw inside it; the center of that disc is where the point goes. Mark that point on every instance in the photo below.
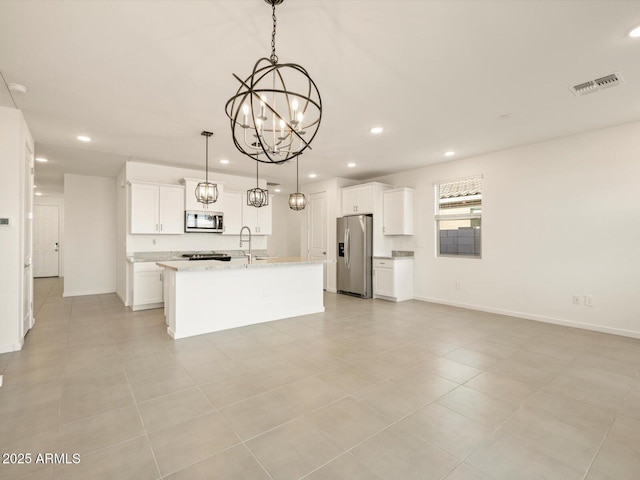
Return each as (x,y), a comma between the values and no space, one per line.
(276,112)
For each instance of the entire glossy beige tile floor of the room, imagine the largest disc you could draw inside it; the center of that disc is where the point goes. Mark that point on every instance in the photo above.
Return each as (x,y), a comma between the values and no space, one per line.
(368,390)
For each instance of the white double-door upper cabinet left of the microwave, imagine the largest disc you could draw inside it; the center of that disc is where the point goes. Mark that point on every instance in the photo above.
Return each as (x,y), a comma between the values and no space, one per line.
(157,209)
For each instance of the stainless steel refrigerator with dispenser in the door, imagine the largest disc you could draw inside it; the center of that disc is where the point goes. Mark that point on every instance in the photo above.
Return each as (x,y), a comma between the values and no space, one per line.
(355,238)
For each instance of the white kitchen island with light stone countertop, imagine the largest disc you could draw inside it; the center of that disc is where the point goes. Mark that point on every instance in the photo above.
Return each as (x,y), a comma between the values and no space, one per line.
(208,296)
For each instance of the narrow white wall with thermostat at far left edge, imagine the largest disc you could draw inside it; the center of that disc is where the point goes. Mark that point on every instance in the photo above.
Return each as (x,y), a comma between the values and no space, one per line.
(14,140)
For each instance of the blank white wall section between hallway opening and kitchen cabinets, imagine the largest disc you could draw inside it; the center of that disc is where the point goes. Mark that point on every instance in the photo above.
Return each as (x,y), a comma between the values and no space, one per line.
(90,231)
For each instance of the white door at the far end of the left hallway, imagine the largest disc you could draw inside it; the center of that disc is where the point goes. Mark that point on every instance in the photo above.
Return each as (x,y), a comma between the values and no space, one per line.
(46,240)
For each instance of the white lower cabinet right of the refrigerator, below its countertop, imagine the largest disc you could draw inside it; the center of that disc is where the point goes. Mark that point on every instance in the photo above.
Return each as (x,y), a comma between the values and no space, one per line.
(393,278)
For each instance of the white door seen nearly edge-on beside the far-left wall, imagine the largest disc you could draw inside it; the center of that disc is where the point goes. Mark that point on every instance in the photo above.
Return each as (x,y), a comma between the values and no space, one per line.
(27,248)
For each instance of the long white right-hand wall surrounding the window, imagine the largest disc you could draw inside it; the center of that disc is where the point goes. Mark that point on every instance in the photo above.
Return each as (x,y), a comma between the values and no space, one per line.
(560,218)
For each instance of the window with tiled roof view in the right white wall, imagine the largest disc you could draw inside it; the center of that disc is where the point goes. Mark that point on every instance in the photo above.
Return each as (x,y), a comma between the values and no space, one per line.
(459,217)
